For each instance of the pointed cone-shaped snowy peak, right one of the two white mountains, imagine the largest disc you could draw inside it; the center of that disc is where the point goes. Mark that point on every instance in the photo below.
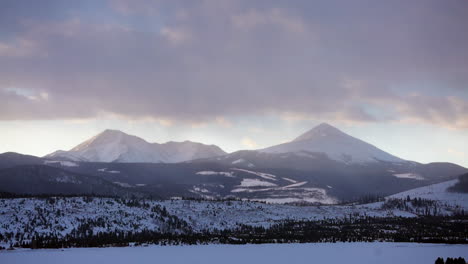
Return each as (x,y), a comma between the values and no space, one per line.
(337,145)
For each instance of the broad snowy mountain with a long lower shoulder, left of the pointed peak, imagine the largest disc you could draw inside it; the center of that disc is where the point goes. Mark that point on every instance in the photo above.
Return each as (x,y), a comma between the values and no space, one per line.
(116,146)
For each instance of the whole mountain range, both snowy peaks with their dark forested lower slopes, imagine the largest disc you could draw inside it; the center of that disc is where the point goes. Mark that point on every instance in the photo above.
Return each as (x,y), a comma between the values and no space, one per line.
(323,165)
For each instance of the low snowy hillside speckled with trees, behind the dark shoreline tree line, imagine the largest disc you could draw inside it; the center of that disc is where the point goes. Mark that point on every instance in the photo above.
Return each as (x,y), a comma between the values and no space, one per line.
(61,216)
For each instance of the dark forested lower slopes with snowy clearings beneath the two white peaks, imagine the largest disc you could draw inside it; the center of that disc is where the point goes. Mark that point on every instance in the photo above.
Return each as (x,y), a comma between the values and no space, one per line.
(281,178)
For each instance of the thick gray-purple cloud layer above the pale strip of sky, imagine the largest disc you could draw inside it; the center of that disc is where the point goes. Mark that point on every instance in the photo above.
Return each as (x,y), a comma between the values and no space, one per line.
(368,61)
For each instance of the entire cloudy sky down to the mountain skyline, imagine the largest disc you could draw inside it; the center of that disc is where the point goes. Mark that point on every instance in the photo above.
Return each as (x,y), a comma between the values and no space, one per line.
(241,74)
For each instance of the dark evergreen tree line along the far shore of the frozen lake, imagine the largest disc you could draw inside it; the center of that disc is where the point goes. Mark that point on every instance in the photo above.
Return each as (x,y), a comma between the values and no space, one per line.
(428,229)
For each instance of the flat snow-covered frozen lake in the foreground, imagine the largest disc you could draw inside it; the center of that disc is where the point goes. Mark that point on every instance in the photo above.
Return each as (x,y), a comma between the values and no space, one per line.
(381,253)
